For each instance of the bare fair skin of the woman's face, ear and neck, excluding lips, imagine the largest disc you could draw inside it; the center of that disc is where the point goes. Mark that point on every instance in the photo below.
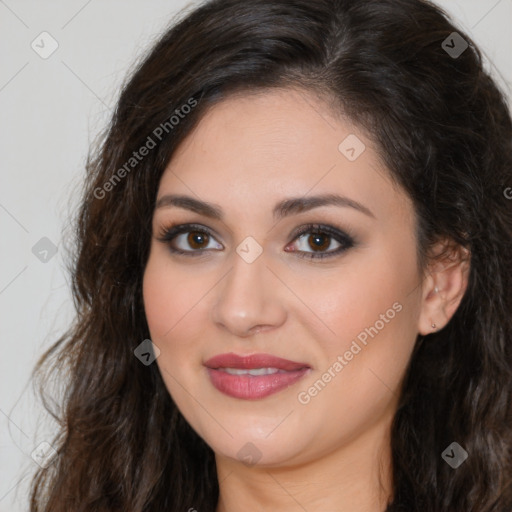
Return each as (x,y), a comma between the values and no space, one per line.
(248,153)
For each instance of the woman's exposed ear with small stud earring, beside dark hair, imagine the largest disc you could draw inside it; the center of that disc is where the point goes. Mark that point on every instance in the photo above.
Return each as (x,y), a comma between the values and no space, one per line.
(444,285)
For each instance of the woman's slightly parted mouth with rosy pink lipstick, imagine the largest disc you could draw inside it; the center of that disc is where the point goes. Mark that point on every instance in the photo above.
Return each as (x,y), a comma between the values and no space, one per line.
(253,377)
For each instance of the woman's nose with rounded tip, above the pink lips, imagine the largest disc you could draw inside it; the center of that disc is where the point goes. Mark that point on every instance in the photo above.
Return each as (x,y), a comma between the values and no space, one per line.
(249,299)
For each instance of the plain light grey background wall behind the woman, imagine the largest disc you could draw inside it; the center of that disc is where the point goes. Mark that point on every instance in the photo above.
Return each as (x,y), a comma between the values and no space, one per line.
(51,110)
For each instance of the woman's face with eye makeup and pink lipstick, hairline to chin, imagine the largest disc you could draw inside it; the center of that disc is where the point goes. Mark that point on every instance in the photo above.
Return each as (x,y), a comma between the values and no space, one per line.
(253,285)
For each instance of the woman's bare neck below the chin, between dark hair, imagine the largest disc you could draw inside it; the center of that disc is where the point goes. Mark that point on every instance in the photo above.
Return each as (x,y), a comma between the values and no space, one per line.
(356,477)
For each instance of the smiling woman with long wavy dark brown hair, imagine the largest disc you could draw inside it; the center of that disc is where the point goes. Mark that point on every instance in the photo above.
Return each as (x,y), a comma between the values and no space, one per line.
(293,281)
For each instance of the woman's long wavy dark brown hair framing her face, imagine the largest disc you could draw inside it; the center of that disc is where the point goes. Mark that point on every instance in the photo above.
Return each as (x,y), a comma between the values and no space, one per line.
(442,127)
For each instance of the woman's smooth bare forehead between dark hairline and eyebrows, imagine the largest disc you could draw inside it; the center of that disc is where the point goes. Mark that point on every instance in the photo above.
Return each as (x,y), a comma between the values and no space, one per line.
(261,147)
